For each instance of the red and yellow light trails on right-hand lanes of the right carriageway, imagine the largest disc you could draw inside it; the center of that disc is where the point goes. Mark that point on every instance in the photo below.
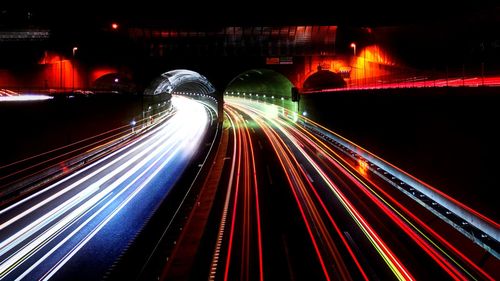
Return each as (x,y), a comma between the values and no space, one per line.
(326,162)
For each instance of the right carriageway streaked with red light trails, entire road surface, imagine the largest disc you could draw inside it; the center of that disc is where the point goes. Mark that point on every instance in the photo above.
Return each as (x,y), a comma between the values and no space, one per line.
(300,206)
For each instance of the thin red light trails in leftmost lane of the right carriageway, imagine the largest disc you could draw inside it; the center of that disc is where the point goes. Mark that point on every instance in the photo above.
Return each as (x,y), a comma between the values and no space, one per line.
(243,180)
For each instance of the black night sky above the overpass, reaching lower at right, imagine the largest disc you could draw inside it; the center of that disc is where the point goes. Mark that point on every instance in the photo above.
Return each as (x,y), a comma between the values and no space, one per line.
(435,33)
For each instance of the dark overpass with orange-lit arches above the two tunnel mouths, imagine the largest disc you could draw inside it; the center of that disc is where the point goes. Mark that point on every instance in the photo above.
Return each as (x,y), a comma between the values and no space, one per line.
(128,59)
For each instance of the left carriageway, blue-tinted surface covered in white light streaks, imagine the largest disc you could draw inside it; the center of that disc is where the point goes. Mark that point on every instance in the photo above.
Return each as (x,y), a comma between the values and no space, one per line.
(76,228)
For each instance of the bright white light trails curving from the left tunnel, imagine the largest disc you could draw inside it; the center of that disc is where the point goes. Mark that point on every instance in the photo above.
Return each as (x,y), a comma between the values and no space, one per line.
(128,169)
